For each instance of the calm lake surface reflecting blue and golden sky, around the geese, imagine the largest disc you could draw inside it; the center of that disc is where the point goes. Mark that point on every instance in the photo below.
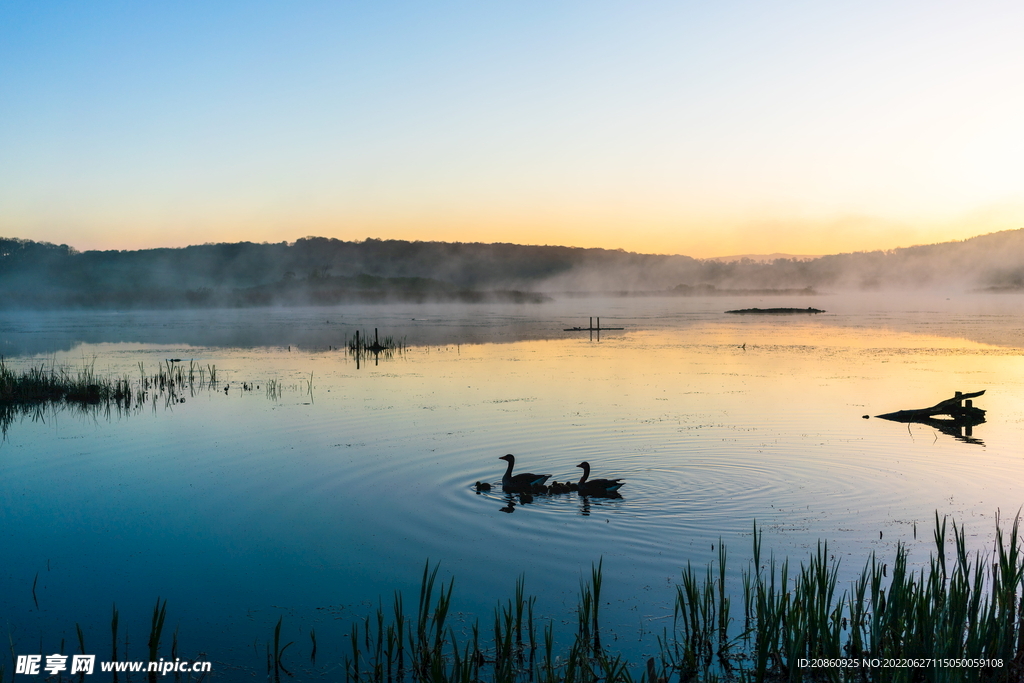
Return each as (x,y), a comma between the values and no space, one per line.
(239,507)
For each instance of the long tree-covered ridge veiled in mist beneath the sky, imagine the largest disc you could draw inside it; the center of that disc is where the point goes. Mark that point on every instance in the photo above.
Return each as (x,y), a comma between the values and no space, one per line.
(327,271)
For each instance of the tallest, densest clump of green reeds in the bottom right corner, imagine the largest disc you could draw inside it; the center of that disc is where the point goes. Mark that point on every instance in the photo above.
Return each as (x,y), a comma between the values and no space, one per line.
(971,609)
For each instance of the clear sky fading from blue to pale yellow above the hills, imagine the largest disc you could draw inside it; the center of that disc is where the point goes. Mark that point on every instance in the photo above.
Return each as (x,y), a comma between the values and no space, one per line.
(699,129)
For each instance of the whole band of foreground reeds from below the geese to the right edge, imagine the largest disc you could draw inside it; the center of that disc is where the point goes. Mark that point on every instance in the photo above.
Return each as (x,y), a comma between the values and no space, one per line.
(957,619)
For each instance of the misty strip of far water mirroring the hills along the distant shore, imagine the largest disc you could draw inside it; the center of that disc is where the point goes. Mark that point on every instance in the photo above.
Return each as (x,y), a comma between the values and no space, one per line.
(983,318)
